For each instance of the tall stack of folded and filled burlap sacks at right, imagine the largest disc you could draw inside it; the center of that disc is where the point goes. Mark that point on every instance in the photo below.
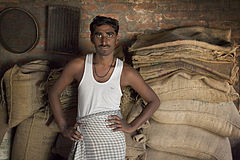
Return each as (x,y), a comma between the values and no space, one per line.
(192,70)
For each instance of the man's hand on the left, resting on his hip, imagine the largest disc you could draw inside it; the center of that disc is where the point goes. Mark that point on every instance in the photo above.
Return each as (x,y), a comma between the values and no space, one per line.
(72,132)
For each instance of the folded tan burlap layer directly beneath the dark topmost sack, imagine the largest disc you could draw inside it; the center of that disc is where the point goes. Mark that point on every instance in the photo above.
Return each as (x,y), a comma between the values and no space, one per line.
(181,49)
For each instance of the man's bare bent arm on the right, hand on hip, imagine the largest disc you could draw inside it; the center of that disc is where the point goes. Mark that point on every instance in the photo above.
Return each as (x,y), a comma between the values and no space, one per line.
(130,77)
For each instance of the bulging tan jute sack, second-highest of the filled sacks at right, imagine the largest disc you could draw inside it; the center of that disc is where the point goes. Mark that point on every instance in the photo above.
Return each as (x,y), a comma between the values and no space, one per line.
(220,118)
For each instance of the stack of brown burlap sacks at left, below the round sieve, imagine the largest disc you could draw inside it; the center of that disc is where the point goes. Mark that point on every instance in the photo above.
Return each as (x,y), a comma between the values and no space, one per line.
(23,104)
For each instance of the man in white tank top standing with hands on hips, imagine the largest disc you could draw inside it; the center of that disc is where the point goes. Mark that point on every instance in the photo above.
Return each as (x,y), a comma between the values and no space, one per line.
(98,133)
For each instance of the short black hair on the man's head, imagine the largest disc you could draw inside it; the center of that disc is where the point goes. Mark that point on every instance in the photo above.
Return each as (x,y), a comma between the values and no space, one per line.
(101,20)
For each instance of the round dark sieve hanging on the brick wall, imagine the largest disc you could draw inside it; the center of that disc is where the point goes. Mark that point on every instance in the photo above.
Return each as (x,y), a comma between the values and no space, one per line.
(18,30)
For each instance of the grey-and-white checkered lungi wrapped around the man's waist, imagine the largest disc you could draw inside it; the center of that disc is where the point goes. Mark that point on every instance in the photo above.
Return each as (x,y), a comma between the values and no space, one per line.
(99,142)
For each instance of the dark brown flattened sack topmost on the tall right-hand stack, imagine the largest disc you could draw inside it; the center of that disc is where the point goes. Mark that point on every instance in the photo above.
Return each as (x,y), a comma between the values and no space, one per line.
(209,35)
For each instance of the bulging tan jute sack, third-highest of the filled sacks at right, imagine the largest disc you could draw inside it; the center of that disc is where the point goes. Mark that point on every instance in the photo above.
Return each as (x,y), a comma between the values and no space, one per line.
(188,141)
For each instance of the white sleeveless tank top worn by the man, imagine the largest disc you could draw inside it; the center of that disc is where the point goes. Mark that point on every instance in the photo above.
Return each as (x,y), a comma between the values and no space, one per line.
(93,96)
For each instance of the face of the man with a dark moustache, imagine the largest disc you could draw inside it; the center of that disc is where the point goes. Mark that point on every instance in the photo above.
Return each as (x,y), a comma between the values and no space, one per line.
(104,39)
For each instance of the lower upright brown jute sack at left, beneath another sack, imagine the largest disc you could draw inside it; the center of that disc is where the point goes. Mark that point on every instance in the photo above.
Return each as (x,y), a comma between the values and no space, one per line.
(33,139)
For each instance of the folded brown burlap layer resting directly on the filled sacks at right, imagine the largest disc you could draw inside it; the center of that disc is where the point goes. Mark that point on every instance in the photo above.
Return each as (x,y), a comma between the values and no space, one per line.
(219,71)
